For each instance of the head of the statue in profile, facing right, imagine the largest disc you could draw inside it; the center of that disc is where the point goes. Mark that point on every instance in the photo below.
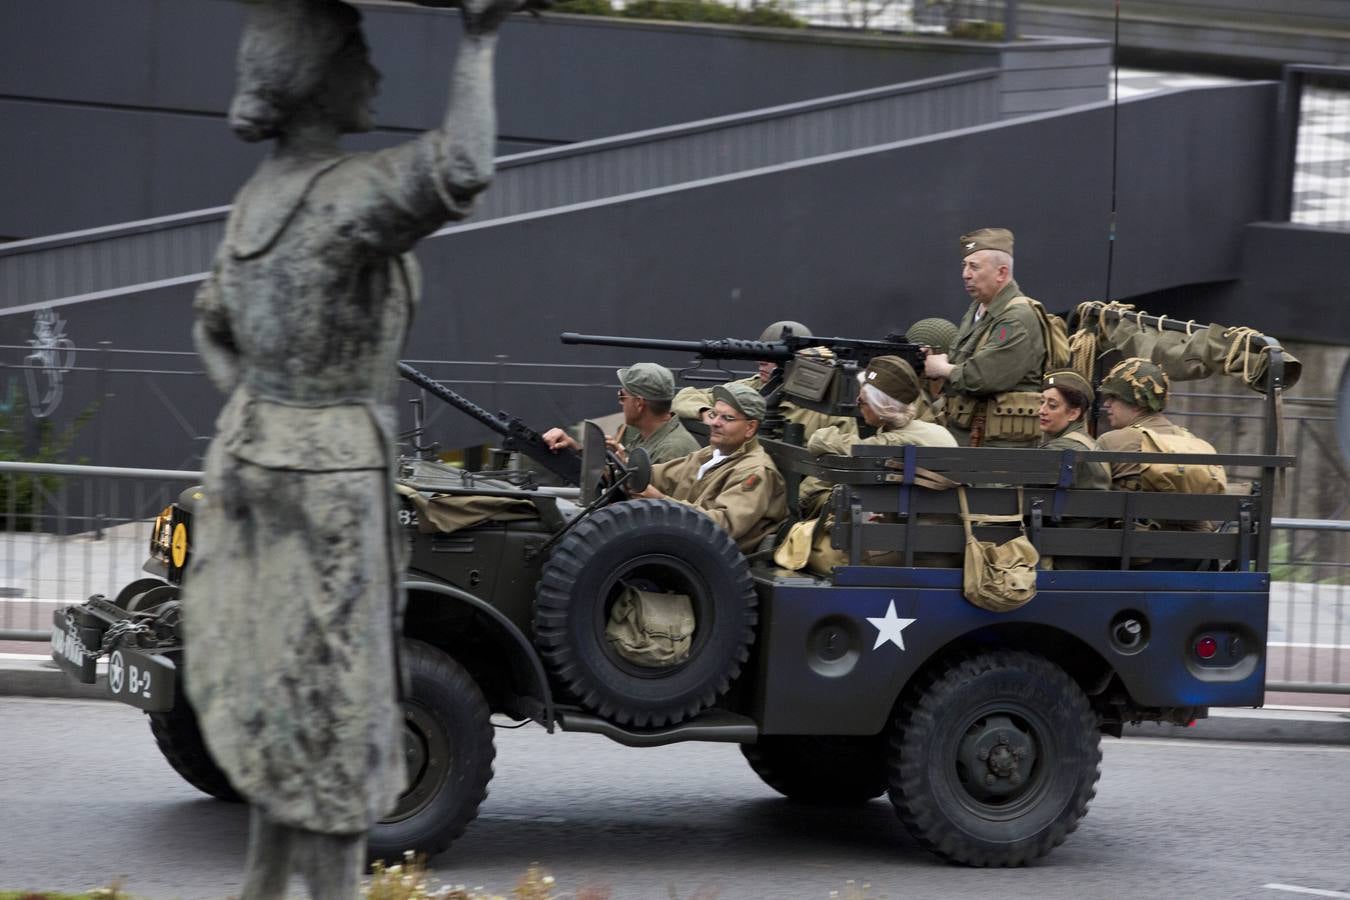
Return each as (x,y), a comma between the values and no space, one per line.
(302,60)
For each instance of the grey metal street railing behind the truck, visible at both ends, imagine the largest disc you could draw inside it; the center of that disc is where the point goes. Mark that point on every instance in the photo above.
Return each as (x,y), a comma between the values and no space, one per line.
(78,531)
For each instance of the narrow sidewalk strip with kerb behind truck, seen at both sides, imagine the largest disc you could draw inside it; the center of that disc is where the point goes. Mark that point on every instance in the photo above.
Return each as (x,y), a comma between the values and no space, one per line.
(1274,724)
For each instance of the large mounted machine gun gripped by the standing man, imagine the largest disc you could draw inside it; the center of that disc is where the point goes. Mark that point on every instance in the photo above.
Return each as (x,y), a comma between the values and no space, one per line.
(824,383)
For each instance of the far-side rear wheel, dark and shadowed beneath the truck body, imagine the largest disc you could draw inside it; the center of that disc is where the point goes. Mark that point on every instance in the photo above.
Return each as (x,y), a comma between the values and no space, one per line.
(819,768)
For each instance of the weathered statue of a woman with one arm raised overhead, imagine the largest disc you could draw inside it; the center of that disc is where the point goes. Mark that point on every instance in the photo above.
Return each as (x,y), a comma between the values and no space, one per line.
(294,601)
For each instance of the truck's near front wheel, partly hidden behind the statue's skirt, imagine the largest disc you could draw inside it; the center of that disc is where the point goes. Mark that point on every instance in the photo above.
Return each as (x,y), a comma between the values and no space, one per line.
(449,740)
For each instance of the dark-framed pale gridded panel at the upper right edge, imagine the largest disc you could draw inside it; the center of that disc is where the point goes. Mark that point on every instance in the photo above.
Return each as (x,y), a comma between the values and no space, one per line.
(1313,176)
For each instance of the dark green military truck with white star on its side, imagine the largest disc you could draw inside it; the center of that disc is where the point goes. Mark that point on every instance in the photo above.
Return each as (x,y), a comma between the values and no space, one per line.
(982,728)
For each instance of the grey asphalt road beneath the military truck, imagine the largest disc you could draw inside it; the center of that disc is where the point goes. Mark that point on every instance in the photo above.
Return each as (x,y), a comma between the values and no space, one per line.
(87,799)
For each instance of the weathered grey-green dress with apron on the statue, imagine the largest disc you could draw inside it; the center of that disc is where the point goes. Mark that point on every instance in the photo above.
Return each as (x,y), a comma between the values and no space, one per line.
(292,600)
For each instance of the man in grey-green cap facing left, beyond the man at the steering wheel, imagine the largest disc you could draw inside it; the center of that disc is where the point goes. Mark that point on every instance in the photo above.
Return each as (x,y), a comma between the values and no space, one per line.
(645,395)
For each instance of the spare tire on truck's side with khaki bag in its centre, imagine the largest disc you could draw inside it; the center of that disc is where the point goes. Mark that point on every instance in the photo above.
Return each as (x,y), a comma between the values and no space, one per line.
(654,546)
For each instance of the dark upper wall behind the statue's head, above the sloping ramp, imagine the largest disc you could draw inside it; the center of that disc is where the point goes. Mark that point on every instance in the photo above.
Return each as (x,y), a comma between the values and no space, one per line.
(114,109)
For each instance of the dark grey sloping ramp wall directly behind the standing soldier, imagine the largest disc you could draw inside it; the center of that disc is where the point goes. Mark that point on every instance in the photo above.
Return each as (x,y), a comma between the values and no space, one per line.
(858,244)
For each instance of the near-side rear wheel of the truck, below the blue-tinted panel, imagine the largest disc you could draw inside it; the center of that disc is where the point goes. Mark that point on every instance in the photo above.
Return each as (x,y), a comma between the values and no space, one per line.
(994,759)
